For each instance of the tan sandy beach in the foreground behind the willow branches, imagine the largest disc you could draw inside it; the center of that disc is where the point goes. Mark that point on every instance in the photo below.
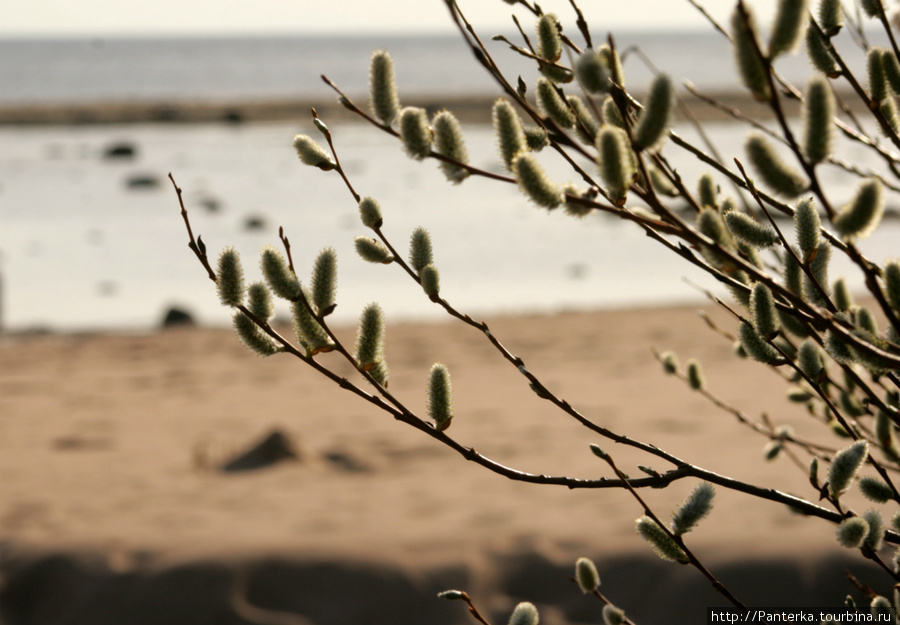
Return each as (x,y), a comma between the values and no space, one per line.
(109,448)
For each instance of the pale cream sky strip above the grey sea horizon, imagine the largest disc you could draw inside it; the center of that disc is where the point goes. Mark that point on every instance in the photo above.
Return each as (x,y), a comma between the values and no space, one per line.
(23,18)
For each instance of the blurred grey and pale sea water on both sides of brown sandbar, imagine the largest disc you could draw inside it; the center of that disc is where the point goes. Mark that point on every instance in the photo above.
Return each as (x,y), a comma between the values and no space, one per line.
(89,242)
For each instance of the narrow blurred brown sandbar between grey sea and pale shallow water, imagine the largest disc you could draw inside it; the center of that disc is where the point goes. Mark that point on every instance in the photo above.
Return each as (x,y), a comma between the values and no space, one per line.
(469,109)
